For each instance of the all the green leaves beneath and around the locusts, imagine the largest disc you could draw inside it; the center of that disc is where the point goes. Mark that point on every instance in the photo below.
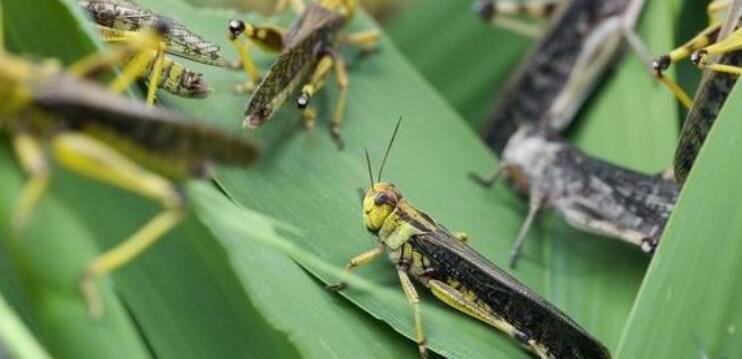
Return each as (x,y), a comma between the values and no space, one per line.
(233,282)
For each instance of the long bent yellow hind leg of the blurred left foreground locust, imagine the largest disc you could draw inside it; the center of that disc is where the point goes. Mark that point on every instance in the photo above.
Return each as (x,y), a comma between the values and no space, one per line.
(94,159)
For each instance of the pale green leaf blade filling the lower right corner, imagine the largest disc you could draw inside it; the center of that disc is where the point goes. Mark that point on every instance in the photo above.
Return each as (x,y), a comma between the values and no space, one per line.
(689,301)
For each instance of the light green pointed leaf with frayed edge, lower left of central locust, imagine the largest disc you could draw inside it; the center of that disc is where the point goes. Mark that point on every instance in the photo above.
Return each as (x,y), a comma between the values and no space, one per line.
(315,318)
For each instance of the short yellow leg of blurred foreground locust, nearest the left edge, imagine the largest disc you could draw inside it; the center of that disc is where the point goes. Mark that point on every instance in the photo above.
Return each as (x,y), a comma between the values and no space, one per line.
(34,162)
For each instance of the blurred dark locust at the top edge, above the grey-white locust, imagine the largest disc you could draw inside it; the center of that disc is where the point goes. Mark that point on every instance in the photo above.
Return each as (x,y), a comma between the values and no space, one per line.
(581,40)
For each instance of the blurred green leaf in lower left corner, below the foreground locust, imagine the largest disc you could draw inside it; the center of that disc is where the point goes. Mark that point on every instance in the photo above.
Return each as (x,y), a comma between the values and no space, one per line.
(48,257)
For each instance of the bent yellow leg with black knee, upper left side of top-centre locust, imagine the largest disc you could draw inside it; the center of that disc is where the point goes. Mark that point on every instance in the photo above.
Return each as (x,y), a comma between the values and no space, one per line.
(266,37)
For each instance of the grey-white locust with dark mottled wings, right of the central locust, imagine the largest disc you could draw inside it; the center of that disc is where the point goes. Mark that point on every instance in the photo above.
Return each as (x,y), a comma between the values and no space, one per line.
(591,194)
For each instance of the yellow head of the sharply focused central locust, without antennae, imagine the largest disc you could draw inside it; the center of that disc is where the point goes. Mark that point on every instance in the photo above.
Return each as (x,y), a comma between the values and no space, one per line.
(379,202)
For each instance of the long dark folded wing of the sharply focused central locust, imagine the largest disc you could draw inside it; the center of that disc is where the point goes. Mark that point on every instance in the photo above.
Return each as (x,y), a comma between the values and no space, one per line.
(507,298)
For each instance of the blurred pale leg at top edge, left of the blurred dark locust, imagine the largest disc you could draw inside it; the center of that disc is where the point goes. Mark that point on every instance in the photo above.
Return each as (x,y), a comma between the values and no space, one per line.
(500,13)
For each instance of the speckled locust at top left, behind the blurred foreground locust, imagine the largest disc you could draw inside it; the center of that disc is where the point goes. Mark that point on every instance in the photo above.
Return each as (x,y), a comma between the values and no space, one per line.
(119,20)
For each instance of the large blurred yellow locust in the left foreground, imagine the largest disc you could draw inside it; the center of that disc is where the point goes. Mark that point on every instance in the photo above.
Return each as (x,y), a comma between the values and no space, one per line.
(50,112)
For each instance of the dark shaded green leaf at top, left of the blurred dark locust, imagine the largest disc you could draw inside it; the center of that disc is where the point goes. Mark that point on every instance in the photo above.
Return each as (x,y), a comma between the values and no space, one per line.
(466,60)
